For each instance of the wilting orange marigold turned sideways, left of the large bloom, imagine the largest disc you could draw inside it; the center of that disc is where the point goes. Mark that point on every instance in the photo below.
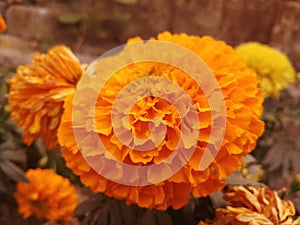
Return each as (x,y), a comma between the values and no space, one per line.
(37,93)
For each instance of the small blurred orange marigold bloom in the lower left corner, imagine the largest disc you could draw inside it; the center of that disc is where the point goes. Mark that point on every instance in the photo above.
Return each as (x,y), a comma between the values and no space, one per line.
(46,196)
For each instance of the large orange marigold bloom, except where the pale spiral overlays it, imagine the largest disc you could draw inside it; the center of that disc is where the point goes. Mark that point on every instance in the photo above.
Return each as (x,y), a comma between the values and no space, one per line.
(243,127)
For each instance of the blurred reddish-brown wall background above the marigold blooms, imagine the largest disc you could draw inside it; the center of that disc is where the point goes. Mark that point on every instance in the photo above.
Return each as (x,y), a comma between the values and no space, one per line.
(90,27)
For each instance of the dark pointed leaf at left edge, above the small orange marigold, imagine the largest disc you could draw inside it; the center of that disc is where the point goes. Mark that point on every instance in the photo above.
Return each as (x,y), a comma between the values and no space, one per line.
(13,171)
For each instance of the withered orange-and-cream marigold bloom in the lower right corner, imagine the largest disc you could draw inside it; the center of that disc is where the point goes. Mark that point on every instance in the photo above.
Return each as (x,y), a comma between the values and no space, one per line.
(248,206)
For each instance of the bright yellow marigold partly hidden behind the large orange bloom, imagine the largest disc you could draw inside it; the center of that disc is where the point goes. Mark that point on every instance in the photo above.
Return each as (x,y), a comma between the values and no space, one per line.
(274,69)
